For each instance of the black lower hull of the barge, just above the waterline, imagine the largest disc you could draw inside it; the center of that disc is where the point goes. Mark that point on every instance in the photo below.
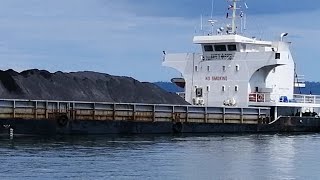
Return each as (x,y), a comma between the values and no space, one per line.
(94,127)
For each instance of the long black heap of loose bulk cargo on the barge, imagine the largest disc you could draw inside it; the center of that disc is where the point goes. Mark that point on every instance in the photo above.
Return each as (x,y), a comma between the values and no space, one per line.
(81,86)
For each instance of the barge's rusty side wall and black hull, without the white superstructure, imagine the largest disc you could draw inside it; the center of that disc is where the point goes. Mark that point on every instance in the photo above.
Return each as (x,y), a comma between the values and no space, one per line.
(62,117)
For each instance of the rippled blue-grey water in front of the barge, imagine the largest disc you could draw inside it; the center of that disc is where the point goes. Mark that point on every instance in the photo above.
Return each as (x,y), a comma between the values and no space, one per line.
(162,157)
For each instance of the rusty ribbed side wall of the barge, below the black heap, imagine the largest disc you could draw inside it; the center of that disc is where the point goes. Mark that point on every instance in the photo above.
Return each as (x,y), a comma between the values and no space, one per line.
(108,111)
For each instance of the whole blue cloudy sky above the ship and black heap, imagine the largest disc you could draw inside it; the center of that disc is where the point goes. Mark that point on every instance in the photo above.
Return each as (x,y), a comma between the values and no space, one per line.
(127,37)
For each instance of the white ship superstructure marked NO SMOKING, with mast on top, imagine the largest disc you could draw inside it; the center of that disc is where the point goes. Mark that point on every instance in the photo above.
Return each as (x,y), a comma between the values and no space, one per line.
(238,71)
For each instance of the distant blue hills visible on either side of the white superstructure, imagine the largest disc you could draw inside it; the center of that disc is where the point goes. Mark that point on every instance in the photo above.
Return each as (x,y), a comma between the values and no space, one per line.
(313,87)
